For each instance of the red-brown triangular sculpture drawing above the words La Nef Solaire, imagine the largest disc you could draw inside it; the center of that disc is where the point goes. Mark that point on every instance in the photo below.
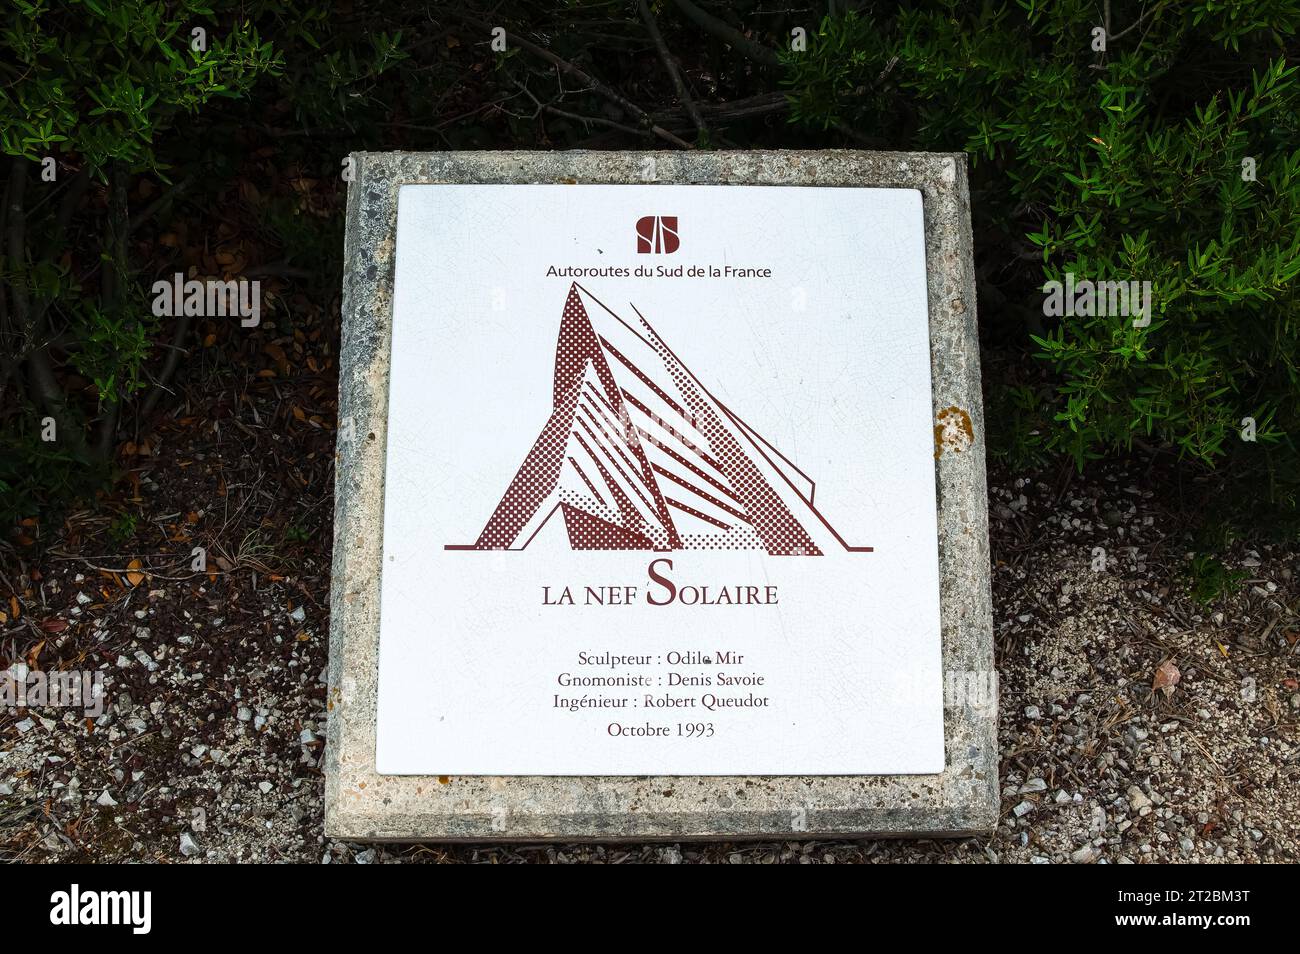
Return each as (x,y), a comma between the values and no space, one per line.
(639,456)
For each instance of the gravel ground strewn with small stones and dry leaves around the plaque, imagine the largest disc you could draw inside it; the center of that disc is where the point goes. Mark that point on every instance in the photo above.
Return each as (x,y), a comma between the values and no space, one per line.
(211,747)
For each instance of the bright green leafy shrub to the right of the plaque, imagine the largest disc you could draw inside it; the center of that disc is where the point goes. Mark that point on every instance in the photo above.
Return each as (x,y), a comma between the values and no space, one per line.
(1113,166)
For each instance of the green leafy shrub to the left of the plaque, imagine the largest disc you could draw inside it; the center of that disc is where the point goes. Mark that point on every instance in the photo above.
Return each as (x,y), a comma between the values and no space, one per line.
(92,92)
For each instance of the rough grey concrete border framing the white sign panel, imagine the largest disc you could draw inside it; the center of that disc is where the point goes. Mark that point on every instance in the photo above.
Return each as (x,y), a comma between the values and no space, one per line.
(362,805)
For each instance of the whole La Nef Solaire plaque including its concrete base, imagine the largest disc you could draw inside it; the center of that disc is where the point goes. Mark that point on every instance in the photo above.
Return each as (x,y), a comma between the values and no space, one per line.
(661,500)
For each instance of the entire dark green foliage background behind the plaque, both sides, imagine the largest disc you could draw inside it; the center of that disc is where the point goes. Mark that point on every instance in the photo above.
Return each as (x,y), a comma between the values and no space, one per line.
(223,159)
